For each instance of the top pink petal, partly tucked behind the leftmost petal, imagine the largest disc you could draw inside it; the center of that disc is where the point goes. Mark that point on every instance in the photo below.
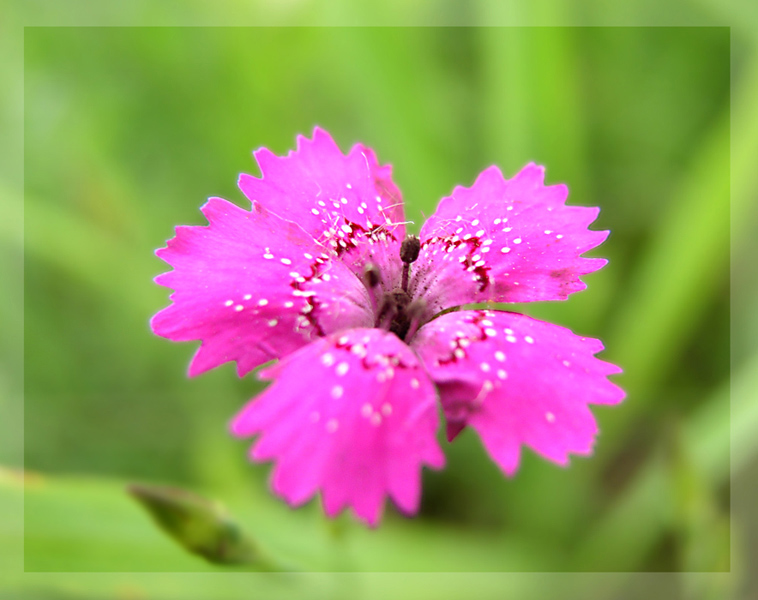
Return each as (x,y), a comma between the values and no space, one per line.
(347,202)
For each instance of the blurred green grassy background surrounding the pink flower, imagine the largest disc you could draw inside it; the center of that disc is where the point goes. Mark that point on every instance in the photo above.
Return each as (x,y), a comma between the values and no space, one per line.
(128,131)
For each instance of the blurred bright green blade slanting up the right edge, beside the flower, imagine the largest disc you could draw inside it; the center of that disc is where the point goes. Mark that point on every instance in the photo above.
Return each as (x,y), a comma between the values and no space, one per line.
(686,262)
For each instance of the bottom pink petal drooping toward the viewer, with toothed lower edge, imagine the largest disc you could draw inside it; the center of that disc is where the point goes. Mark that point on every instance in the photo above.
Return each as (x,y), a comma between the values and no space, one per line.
(353,415)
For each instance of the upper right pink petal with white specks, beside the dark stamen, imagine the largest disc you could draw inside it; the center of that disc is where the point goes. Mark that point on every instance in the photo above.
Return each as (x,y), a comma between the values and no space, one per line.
(505,241)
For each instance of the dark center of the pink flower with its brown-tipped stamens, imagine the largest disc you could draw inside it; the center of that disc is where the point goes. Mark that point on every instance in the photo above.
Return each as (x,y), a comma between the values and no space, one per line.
(397,311)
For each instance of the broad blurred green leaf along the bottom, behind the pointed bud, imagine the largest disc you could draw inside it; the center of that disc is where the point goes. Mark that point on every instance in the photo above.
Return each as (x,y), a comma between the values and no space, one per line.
(78,524)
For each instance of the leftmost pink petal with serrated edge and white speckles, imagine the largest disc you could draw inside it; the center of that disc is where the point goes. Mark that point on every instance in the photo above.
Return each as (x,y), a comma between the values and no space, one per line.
(253,287)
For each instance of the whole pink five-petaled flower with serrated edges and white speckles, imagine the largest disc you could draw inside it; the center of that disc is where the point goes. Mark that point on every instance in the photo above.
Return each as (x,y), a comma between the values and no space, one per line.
(321,275)
